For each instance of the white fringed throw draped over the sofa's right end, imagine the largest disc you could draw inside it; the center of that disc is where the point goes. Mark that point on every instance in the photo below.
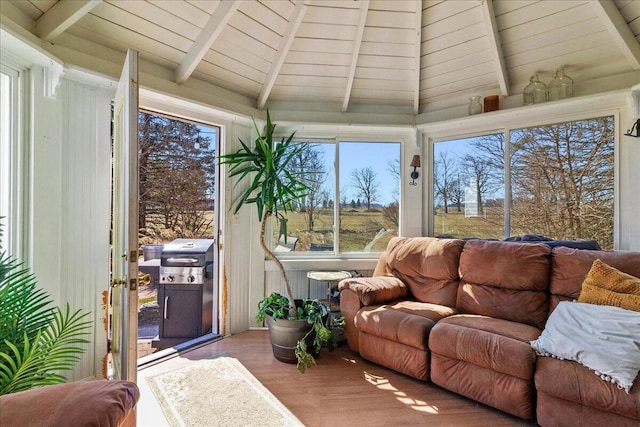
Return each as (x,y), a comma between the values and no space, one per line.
(605,339)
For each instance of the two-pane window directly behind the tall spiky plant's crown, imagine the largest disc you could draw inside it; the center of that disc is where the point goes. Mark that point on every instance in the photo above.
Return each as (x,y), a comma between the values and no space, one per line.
(352,206)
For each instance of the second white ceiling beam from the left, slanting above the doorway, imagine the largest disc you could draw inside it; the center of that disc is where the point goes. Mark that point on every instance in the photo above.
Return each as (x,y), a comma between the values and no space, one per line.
(205,39)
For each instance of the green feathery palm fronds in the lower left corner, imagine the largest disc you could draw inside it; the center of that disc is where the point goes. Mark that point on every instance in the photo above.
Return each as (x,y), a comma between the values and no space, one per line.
(37,340)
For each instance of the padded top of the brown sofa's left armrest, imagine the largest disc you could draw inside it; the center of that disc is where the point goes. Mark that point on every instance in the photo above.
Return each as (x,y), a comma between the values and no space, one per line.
(375,290)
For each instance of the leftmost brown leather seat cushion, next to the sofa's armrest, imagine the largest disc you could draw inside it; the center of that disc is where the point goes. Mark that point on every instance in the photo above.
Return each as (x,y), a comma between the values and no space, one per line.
(406,322)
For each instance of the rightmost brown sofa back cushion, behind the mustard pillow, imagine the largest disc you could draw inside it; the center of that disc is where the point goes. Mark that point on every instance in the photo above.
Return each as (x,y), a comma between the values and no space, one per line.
(571,266)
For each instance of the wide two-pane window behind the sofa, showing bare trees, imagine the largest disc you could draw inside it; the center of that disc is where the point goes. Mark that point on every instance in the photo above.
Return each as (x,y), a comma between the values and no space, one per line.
(561,183)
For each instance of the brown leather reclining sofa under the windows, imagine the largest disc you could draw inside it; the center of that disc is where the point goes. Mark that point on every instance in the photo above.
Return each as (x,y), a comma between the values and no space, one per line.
(462,314)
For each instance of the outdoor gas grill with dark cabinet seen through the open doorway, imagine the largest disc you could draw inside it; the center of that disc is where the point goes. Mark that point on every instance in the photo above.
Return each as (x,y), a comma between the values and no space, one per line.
(185,294)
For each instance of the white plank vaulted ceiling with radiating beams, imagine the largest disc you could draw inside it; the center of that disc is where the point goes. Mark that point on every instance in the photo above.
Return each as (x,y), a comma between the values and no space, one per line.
(398,57)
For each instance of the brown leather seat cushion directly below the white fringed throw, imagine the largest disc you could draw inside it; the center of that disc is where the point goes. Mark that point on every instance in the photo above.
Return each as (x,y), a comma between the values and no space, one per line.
(572,382)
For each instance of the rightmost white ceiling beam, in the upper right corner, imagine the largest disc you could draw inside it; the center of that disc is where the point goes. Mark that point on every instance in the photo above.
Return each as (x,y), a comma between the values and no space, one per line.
(619,29)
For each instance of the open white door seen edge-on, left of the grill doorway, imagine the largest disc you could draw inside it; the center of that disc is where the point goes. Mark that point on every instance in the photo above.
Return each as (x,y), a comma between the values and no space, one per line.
(124,281)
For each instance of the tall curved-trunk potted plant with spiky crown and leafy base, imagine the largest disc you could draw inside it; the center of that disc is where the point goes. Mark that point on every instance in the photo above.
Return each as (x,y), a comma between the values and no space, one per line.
(294,328)
